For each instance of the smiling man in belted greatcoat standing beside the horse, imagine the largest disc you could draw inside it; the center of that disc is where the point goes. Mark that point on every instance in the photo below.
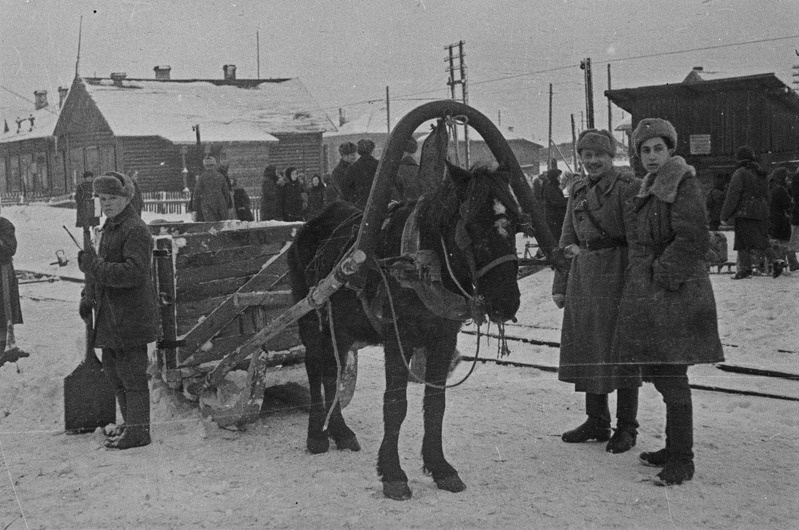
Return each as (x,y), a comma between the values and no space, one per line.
(594,233)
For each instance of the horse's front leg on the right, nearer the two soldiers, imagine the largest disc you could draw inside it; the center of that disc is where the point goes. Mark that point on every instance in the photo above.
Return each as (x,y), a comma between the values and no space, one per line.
(439,355)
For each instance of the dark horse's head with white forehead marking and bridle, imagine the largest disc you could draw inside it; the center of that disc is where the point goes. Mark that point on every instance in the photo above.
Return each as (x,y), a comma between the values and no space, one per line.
(478,218)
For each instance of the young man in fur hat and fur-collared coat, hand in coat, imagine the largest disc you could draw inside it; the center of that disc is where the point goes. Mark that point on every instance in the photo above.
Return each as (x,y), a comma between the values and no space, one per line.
(667,315)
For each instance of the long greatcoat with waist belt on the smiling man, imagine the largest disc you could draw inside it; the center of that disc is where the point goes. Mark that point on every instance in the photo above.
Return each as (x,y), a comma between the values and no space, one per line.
(594,284)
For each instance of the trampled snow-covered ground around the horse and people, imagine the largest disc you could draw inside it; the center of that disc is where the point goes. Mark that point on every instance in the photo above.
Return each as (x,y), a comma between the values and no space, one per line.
(502,432)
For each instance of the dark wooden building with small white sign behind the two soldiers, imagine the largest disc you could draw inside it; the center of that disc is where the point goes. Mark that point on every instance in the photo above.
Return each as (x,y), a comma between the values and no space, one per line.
(713,117)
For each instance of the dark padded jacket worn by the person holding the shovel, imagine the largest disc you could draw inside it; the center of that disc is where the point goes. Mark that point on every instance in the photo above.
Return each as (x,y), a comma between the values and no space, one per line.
(119,283)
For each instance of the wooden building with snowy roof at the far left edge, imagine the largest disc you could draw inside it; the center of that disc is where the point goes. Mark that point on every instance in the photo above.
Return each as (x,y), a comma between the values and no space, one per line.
(29,160)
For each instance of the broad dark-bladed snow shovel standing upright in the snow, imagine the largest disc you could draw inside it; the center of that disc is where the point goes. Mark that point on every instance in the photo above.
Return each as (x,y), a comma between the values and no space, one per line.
(89,400)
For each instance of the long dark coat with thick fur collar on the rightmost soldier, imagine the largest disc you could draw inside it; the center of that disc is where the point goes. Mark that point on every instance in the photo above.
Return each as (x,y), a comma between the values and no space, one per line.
(668,312)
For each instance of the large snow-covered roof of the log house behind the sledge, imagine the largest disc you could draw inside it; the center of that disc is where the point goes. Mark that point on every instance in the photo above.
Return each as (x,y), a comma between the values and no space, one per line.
(251,111)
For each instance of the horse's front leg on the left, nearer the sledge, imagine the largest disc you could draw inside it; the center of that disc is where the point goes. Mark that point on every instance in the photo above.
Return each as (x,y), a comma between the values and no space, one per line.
(395,408)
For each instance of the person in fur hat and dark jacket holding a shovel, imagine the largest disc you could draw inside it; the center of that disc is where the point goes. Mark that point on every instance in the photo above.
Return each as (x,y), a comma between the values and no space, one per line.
(120,292)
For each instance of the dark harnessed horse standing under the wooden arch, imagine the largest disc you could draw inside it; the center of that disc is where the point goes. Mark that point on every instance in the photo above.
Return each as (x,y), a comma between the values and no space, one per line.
(439,262)
